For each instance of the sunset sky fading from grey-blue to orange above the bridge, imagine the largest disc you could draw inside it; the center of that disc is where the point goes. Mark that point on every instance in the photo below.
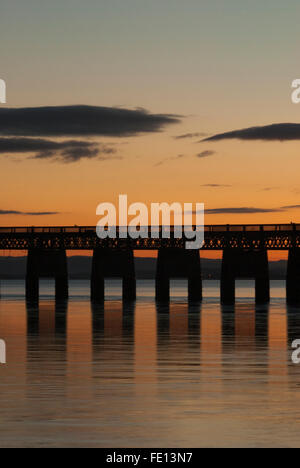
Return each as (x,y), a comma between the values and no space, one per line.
(220,65)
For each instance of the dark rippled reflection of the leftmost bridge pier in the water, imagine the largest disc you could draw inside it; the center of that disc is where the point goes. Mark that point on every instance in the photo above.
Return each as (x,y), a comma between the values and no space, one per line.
(46,356)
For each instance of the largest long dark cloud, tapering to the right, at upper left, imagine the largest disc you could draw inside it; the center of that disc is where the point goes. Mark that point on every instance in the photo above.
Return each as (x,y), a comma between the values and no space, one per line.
(62,121)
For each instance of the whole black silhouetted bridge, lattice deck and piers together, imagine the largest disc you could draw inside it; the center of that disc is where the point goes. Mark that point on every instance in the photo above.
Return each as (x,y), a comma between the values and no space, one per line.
(245,255)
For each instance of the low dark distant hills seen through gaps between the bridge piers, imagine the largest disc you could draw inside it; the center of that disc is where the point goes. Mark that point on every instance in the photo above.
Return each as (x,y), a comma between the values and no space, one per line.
(80,267)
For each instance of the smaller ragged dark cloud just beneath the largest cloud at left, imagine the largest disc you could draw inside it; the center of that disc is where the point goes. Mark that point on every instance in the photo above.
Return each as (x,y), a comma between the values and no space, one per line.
(63,151)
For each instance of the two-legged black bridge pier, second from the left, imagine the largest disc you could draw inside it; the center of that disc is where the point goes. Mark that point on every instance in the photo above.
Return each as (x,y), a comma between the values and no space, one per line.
(113,263)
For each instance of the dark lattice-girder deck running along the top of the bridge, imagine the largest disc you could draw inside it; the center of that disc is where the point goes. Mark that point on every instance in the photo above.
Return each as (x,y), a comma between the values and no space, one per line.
(217,237)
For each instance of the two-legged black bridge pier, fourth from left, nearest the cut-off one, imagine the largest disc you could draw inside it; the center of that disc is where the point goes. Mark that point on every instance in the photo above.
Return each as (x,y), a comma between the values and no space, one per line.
(238,263)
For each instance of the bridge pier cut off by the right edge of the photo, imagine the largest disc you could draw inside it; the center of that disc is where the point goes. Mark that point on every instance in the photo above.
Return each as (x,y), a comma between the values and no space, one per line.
(293,277)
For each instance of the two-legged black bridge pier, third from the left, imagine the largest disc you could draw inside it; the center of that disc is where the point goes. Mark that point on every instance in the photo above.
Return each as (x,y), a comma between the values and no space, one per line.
(178,263)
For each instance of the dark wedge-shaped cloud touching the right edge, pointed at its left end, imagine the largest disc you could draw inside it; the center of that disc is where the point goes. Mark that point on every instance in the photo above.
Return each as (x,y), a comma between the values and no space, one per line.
(275,132)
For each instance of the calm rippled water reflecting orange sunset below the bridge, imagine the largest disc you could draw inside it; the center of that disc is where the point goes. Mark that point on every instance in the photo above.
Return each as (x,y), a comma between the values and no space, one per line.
(146,376)
